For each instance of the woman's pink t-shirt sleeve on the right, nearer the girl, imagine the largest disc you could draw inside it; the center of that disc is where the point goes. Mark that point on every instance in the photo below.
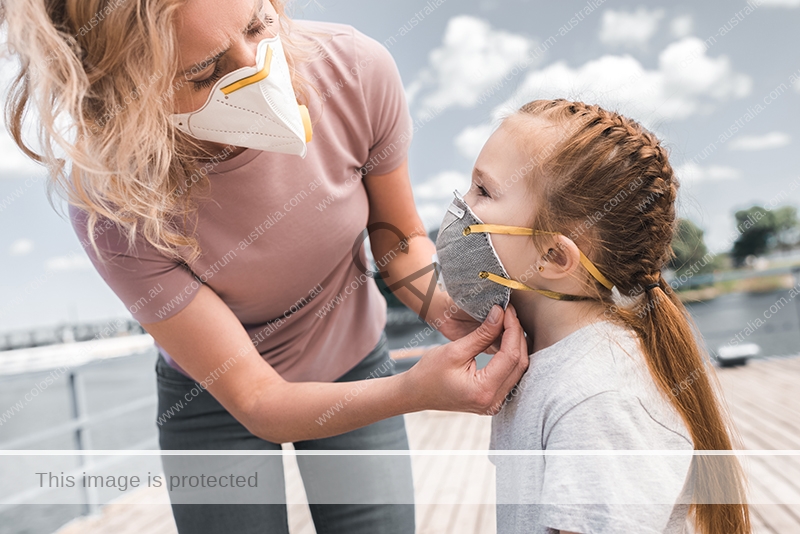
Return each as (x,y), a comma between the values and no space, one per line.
(387,108)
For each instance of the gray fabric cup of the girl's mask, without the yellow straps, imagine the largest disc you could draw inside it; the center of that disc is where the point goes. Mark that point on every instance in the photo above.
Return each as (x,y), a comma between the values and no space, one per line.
(463,257)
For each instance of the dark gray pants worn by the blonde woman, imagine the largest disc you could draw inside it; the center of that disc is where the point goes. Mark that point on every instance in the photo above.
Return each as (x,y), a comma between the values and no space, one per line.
(361,485)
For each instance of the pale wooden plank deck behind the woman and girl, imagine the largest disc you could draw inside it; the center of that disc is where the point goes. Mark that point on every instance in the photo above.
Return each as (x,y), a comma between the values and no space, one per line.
(764,398)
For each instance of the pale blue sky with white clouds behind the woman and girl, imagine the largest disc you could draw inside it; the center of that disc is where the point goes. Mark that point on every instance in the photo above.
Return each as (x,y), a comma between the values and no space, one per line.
(712,78)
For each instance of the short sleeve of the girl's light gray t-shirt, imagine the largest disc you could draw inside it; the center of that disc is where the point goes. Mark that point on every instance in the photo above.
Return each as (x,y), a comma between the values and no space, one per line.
(612,492)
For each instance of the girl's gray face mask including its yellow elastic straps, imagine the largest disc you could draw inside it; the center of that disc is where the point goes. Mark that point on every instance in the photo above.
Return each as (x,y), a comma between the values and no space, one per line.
(472,271)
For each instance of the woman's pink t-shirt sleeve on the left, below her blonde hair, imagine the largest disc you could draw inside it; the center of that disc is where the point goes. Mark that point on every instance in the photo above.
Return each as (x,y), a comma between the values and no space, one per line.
(152,286)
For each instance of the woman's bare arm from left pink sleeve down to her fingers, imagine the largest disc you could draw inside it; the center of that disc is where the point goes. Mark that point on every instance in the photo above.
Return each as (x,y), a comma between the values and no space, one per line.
(206,337)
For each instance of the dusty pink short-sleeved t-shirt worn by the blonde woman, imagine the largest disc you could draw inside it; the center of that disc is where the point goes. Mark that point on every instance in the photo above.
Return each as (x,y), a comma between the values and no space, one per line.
(278,233)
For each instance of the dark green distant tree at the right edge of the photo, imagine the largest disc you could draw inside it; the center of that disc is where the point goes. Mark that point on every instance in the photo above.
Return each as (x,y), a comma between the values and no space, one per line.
(763,230)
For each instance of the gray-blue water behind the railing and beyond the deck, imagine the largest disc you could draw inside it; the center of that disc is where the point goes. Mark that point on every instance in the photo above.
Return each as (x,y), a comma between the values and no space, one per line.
(116,382)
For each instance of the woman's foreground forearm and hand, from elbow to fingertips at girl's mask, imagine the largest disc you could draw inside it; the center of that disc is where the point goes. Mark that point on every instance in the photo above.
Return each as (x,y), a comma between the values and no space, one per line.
(445,378)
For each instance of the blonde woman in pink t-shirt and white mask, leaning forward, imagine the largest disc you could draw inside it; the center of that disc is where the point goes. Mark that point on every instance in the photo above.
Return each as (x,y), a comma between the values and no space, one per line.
(241,262)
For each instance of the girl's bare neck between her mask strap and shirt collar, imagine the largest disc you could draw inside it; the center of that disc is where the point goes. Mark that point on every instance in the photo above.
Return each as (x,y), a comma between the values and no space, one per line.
(547,321)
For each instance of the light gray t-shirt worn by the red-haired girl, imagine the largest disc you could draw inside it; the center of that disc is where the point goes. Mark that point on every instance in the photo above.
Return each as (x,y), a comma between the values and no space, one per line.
(591,391)
